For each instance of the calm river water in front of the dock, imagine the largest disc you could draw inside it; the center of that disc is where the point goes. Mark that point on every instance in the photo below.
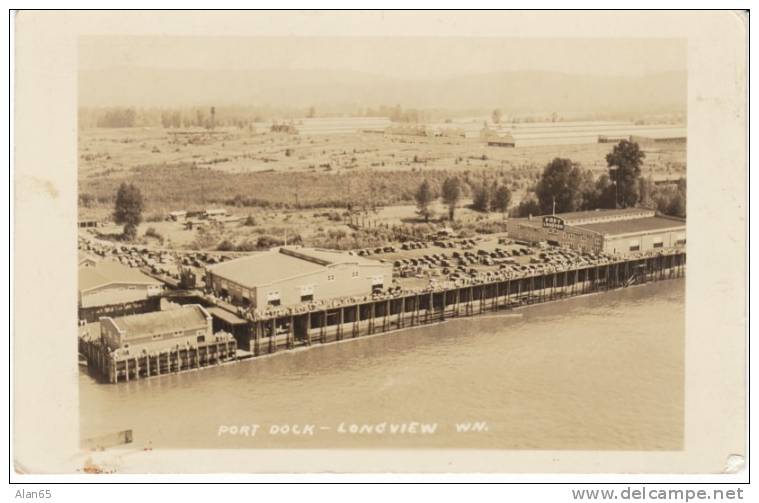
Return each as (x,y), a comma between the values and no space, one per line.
(598,372)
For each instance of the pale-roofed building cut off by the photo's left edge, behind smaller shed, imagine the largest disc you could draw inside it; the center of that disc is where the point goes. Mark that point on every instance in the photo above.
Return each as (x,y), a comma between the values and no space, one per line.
(110,288)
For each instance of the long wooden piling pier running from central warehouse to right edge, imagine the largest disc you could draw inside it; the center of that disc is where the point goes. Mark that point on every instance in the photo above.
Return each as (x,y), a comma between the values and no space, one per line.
(283,332)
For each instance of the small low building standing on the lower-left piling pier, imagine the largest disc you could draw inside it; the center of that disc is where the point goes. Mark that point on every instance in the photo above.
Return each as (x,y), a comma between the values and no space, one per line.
(157,331)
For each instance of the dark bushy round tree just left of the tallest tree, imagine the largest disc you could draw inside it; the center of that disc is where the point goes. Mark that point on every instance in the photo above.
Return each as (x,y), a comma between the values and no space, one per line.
(562,183)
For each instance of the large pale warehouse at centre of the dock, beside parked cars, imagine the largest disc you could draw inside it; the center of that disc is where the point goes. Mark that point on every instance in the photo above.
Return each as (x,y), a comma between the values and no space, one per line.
(291,275)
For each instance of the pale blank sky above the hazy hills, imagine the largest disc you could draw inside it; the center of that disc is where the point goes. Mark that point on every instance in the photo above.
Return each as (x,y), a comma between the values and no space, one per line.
(410,58)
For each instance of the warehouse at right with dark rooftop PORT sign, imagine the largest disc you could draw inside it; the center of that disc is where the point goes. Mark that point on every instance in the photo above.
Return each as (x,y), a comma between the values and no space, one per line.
(611,231)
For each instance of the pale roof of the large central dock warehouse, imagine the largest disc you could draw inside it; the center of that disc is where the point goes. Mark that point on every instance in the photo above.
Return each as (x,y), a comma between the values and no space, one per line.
(275,265)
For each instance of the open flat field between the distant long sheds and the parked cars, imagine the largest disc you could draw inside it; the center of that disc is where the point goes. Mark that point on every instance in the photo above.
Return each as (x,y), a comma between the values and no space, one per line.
(308,188)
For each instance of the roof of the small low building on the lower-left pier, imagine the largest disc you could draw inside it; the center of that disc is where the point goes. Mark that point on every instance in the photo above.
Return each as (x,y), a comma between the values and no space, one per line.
(160,322)
